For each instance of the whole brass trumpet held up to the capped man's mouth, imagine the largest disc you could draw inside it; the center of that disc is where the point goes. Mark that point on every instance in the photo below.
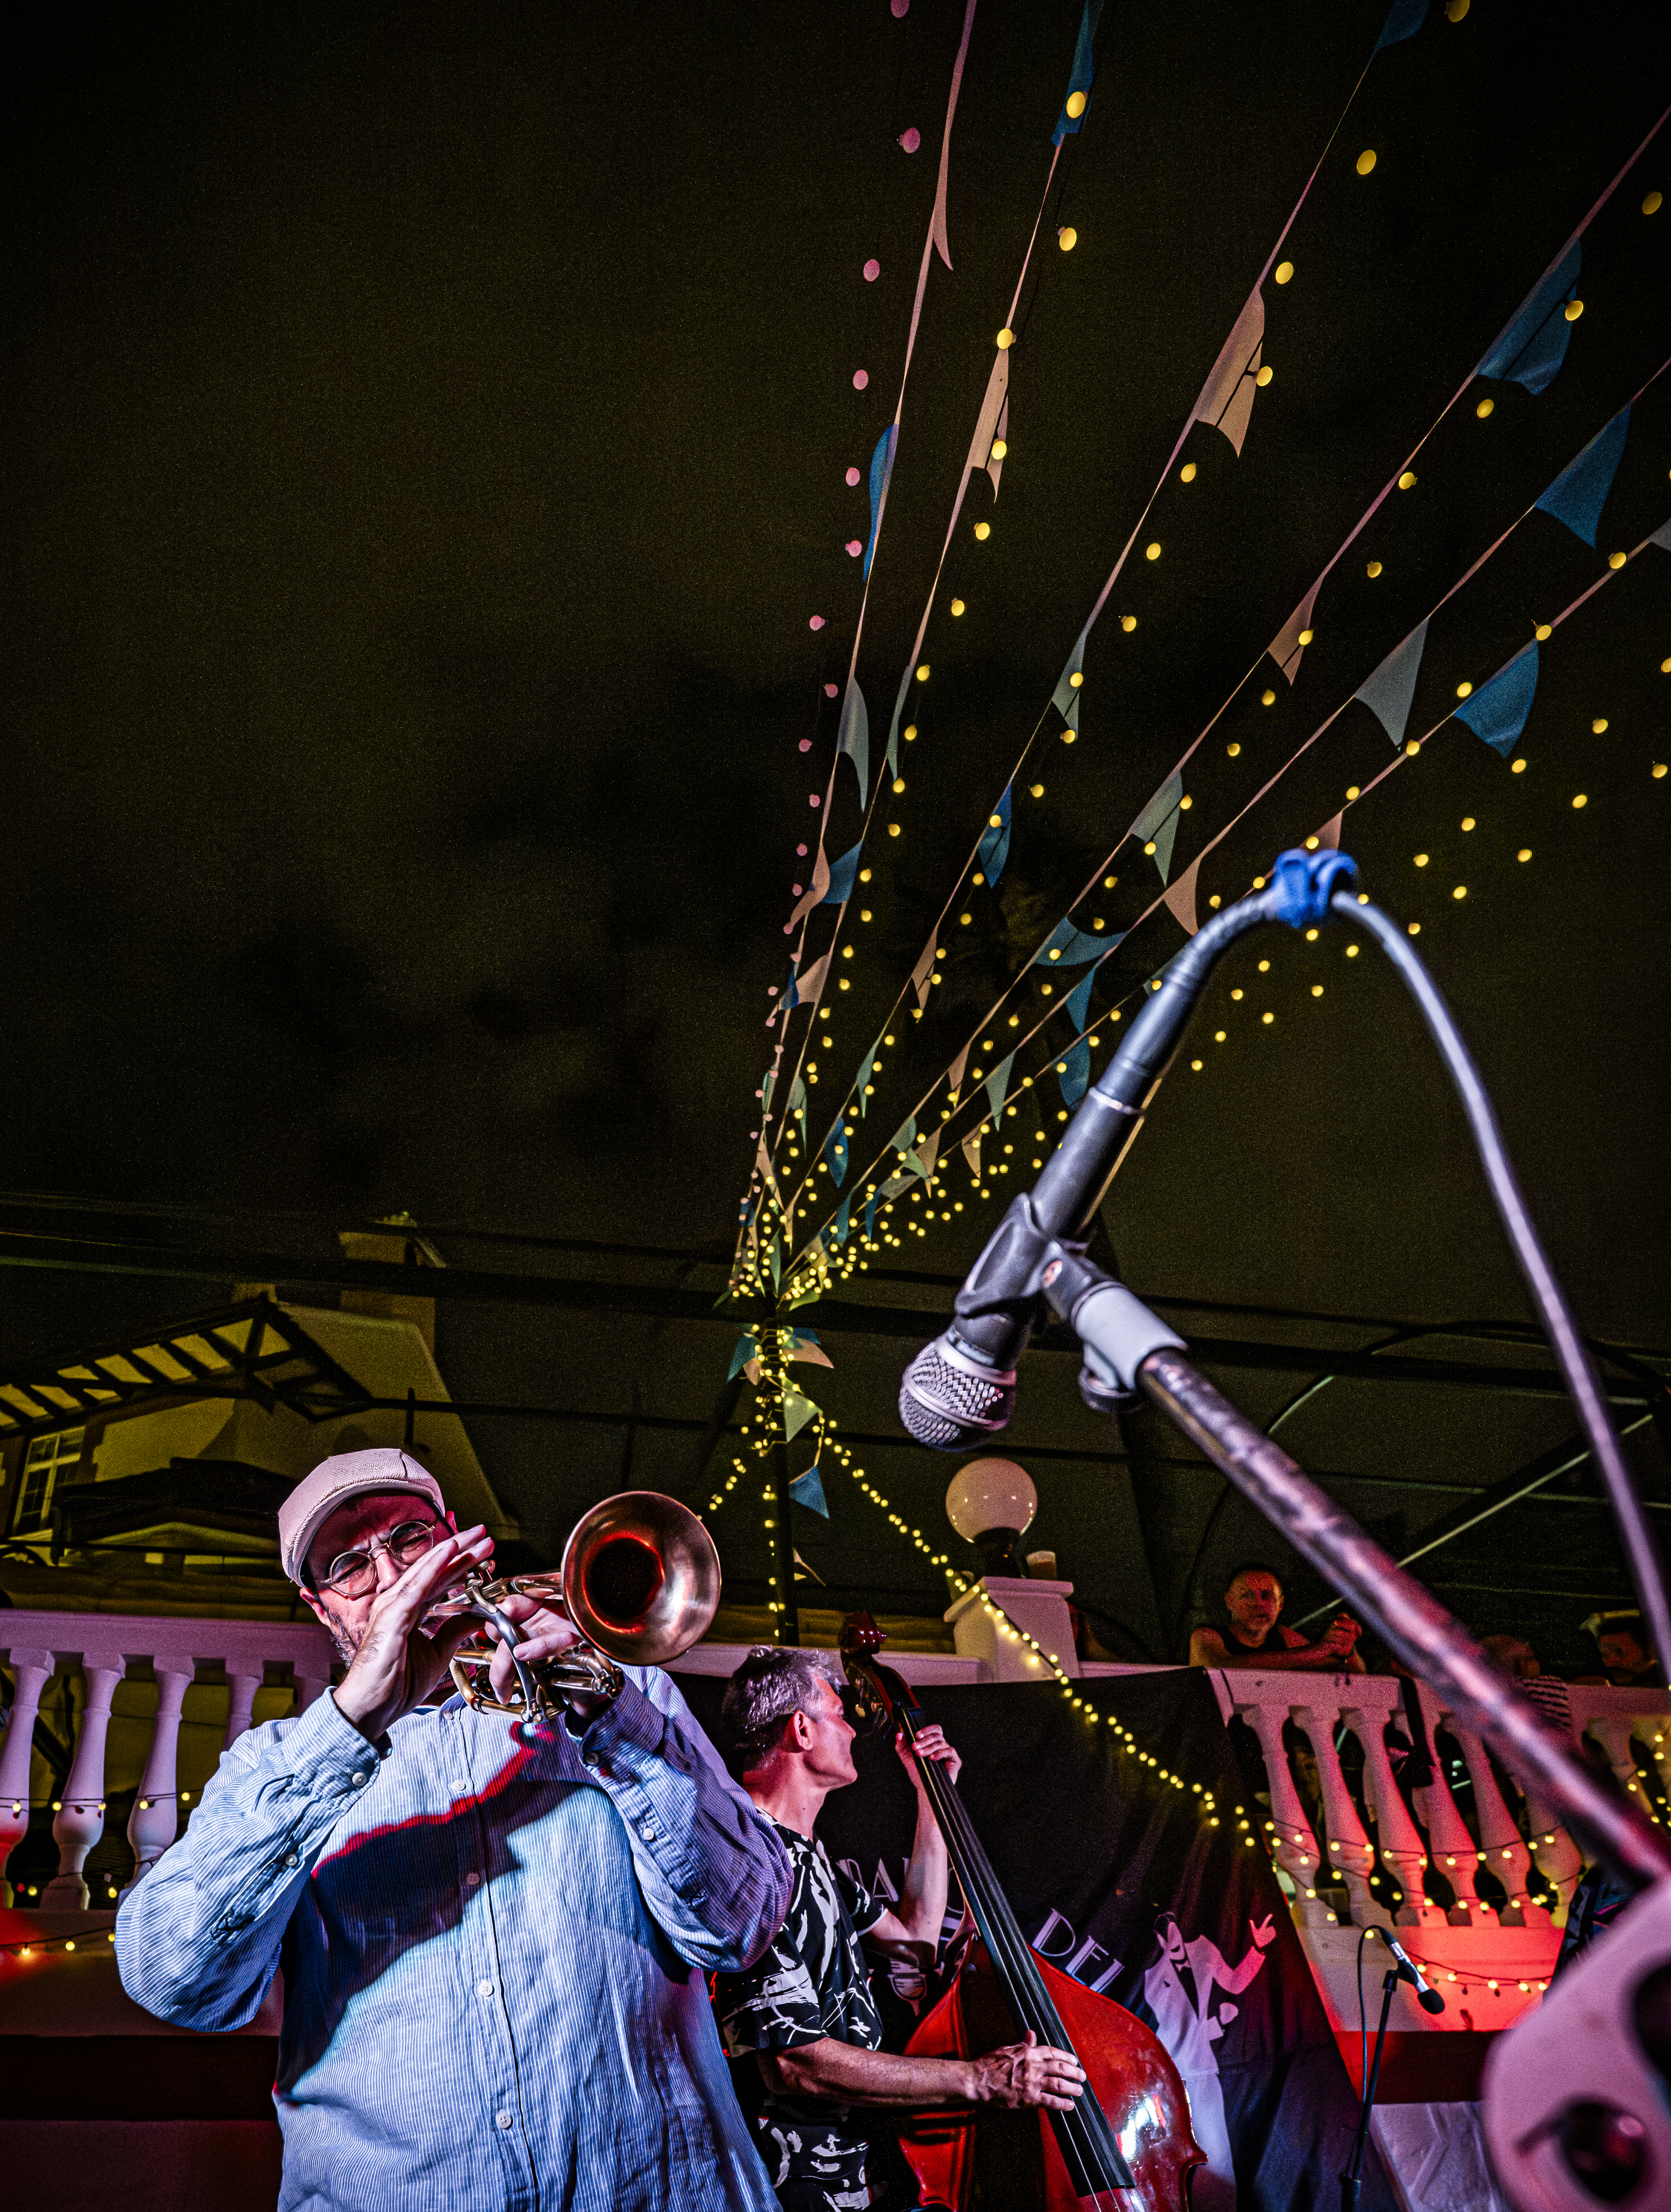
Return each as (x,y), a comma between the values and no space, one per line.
(640,1578)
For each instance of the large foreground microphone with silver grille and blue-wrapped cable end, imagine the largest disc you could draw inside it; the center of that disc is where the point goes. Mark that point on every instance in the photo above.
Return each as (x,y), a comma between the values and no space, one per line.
(960,1390)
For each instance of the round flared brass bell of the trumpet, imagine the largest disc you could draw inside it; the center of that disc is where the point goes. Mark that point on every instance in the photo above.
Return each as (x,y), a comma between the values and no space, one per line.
(642,1578)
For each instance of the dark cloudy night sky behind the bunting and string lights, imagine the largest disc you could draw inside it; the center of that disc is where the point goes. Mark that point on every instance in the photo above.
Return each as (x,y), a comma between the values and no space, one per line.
(428,441)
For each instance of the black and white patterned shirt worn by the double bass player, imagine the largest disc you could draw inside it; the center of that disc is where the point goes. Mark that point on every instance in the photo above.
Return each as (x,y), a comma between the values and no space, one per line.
(810,1985)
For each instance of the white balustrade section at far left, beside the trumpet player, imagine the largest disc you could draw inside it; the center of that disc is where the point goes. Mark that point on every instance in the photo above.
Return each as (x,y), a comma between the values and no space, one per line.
(147,1709)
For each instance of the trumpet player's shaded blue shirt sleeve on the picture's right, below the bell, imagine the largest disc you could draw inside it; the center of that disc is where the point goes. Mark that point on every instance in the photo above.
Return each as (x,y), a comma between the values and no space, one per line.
(708,1864)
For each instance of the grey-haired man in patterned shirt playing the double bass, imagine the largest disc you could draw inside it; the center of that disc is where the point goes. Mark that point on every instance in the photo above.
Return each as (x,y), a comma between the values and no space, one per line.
(806,2012)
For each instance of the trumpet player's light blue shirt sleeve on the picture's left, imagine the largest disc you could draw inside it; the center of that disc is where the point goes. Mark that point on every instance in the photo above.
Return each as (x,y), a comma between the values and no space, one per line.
(198,1941)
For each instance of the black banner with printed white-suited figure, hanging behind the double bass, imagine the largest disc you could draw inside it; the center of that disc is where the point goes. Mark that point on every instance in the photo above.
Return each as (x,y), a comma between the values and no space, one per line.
(1122,1881)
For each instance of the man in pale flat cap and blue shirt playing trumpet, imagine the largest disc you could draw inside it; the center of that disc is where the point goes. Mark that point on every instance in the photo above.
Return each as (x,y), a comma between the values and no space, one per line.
(494,1937)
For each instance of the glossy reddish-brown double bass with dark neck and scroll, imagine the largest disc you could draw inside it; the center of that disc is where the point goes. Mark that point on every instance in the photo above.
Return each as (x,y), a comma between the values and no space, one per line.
(1126,2145)
